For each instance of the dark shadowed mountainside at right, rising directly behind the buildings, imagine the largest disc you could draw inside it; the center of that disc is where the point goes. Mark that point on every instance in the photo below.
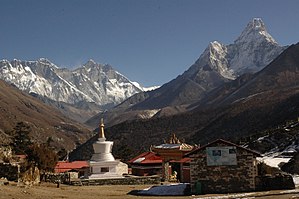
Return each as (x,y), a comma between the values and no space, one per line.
(249,105)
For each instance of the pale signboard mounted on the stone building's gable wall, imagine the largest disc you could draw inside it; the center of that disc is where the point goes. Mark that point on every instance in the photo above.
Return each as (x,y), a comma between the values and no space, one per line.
(217,156)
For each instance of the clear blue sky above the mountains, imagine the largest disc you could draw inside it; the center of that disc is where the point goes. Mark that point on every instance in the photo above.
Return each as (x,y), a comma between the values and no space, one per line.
(149,41)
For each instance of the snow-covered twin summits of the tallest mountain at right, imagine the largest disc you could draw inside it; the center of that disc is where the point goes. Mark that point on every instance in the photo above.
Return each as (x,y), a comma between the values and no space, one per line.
(252,51)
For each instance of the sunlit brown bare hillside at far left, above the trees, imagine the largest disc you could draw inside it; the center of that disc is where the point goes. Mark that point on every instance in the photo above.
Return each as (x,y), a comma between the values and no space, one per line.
(45,122)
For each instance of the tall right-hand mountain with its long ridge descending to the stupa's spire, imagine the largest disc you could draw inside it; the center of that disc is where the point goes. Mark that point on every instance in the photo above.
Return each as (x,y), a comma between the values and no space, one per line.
(218,64)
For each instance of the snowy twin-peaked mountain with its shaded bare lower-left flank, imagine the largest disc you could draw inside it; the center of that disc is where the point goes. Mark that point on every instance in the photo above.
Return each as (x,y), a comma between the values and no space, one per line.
(219,63)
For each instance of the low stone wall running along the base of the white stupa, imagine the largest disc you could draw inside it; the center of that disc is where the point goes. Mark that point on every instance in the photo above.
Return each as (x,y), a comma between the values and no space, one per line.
(118,181)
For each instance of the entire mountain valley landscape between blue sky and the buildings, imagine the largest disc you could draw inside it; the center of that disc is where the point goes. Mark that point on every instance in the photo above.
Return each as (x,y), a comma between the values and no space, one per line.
(239,92)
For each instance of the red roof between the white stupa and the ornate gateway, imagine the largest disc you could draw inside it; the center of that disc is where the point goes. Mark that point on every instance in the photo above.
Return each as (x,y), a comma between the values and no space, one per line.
(146,158)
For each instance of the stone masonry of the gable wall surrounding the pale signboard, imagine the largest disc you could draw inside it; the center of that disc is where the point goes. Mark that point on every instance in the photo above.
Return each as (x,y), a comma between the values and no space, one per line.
(224,178)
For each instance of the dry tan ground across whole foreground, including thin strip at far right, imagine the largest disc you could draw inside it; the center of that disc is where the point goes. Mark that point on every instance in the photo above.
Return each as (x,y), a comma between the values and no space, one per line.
(50,191)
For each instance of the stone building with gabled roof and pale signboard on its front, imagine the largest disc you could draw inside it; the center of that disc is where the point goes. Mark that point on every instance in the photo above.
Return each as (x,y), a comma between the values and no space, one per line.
(222,167)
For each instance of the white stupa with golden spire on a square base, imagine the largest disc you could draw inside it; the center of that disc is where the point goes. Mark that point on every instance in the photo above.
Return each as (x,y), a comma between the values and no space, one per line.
(102,163)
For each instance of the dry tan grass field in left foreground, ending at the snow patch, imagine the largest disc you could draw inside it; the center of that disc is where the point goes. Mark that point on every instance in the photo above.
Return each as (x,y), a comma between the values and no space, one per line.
(50,191)
